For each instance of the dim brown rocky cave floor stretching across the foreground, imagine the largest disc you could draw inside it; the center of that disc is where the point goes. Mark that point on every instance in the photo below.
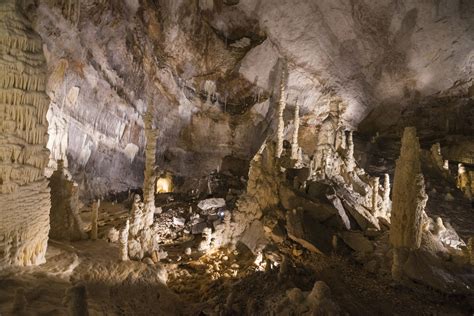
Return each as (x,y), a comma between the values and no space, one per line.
(201,284)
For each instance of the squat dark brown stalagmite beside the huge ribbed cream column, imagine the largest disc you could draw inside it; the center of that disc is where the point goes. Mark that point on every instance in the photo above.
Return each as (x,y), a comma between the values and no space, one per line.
(65,221)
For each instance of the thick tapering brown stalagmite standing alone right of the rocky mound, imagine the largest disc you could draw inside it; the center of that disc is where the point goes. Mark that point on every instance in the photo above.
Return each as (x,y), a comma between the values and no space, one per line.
(409,201)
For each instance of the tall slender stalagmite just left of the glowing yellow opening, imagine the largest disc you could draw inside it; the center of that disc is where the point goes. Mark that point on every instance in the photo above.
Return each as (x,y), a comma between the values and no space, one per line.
(151,135)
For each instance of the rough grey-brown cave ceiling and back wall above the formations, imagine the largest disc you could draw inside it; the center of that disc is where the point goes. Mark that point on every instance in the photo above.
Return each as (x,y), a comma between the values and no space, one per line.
(209,70)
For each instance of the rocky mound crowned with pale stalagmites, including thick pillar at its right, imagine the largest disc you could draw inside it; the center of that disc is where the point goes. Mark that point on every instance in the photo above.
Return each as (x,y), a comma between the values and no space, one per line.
(321,199)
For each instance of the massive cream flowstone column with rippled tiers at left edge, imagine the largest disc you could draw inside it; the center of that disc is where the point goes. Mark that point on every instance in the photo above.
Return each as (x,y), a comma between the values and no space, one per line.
(24,192)
